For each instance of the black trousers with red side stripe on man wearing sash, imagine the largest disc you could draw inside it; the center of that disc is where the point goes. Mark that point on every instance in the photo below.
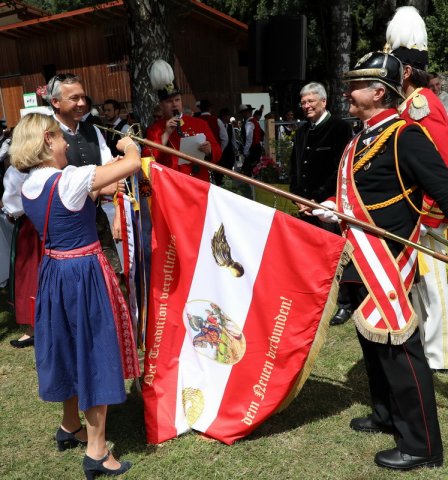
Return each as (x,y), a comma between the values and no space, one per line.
(402,389)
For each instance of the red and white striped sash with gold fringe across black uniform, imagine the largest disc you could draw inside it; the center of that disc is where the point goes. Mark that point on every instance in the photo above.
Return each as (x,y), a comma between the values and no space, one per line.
(387,309)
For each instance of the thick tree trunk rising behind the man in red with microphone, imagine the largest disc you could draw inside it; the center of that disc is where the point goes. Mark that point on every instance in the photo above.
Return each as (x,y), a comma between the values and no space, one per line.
(150,39)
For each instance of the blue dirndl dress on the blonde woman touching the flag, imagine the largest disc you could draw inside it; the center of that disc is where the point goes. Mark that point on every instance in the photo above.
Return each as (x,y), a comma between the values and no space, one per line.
(76,346)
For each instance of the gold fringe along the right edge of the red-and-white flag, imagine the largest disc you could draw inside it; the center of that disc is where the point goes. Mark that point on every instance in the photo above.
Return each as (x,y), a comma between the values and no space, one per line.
(322,329)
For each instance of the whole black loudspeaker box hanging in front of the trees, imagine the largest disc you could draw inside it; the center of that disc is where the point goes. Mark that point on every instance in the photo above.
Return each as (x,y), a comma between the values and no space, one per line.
(277,49)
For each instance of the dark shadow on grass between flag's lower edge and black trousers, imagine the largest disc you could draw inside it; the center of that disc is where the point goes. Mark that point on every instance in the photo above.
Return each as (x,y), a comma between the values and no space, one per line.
(333,398)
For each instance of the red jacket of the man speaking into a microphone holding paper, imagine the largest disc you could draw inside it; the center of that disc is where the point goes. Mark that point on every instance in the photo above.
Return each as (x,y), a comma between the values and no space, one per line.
(190,126)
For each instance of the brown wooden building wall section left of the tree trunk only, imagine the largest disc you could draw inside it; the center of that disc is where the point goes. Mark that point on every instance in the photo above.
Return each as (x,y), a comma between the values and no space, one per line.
(97,53)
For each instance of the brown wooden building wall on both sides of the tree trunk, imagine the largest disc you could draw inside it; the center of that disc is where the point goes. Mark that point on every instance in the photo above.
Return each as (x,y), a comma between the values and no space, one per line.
(206,63)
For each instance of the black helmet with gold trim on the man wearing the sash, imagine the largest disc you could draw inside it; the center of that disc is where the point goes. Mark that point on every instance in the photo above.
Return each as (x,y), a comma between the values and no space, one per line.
(380,67)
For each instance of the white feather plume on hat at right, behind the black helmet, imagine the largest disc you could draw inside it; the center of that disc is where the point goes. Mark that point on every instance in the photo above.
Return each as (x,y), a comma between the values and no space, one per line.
(407,29)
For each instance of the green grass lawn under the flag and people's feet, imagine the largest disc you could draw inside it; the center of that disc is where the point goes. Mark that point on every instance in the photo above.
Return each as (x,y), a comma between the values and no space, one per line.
(309,440)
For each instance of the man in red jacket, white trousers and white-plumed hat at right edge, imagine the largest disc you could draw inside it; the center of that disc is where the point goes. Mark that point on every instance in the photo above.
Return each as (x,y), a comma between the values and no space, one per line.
(423,106)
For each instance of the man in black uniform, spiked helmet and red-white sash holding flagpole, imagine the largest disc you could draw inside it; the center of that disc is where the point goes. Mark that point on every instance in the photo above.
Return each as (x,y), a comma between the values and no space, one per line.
(382,176)
